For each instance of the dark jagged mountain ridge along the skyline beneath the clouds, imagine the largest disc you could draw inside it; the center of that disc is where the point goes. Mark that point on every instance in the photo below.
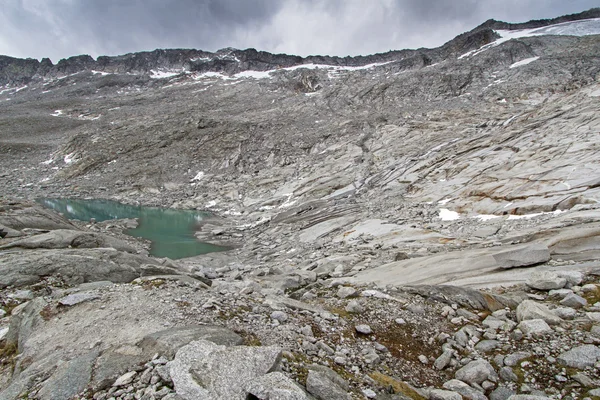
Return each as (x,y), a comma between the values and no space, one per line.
(231,61)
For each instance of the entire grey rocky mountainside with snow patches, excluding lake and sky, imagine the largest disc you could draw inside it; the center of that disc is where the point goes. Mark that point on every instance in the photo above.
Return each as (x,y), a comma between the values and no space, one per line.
(420,223)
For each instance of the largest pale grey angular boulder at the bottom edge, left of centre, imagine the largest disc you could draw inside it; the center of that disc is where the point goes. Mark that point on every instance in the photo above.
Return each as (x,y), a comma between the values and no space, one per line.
(204,370)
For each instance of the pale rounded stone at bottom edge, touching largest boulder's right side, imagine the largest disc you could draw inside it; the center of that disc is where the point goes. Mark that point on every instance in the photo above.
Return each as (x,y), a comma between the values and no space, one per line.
(276,386)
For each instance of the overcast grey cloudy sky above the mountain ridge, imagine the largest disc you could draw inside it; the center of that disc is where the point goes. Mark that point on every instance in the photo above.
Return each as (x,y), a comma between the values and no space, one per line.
(63,28)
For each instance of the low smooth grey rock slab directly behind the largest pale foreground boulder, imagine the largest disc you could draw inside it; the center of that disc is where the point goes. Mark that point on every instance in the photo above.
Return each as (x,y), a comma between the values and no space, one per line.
(168,341)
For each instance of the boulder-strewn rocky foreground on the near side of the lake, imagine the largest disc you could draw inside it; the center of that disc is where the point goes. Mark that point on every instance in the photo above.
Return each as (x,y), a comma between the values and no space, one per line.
(85,321)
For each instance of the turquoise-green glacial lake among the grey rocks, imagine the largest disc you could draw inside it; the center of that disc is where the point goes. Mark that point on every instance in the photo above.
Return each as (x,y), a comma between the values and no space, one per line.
(171,231)
